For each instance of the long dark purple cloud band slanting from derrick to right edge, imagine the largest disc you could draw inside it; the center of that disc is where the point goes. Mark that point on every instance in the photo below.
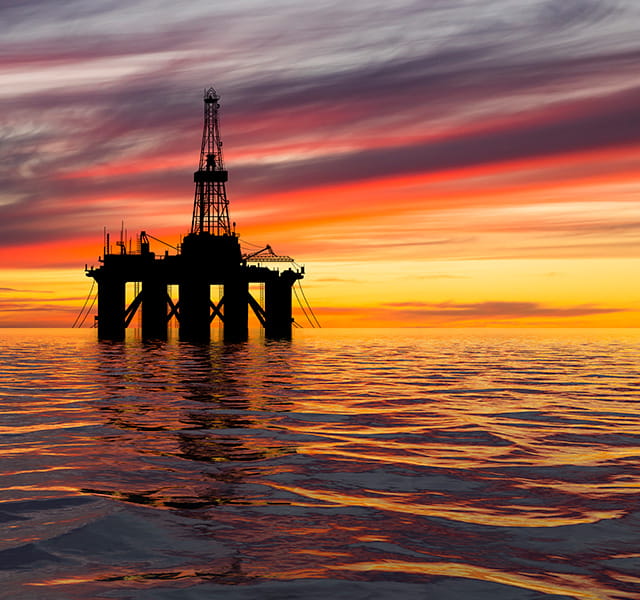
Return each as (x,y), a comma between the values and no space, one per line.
(613,123)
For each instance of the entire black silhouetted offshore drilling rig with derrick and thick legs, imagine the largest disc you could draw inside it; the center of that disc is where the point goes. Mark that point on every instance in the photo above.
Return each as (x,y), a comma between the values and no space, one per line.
(210,255)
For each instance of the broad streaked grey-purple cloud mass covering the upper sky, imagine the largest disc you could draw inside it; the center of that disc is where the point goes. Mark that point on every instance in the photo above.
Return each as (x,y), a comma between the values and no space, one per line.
(312,72)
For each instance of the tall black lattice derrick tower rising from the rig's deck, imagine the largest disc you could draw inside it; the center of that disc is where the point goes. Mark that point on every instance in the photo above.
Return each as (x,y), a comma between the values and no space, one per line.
(210,205)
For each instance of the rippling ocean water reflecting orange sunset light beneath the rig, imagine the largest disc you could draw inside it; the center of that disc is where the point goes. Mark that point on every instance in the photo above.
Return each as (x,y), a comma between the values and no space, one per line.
(355,464)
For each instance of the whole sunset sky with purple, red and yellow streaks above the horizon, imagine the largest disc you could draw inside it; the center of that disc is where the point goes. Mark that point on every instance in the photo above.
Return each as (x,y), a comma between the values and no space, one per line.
(430,162)
